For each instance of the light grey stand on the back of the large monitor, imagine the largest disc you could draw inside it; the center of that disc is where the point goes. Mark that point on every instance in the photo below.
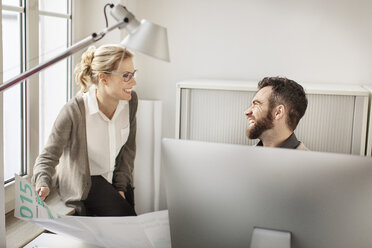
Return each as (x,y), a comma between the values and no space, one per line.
(268,238)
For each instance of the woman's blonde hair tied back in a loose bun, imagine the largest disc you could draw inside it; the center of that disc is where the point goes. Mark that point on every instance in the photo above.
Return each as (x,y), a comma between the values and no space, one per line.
(95,60)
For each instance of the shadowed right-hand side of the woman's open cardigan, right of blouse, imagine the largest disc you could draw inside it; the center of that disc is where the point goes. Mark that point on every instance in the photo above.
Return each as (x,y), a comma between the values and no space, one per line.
(124,164)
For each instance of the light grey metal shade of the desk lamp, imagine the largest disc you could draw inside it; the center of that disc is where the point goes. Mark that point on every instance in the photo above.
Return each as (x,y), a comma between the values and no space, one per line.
(150,39)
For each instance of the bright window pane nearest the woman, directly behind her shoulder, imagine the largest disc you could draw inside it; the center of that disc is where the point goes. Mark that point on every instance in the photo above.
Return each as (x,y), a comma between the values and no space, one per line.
(54,88)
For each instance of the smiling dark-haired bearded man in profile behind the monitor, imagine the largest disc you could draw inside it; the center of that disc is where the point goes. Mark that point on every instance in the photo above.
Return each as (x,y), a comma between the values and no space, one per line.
(276,110)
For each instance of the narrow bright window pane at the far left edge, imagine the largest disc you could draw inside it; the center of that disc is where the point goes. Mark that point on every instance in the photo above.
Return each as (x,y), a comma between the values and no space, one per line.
(13,122)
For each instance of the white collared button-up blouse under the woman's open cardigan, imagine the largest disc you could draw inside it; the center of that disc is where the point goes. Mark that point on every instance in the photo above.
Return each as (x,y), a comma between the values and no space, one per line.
(105,137)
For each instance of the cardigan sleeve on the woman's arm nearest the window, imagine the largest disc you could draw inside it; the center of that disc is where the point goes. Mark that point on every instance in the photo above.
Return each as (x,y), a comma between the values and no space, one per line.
(48,159)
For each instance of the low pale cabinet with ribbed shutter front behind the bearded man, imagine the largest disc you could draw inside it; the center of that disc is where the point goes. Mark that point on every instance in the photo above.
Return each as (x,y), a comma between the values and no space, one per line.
(213,110)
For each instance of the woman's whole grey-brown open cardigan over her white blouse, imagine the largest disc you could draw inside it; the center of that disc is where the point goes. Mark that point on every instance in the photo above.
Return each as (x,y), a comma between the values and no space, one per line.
(67,148)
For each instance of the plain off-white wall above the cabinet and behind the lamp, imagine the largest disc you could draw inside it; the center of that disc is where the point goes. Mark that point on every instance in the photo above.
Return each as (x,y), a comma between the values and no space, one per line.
(308,41)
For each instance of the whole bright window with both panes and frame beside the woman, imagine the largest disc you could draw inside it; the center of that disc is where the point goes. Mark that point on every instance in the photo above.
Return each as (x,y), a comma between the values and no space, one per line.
(23,136)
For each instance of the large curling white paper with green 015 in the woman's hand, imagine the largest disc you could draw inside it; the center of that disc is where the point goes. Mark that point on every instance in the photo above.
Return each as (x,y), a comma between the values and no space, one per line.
(149,230)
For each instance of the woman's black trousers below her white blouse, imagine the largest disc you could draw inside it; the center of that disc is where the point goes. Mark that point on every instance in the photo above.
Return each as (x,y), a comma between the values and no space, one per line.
(104,200)
